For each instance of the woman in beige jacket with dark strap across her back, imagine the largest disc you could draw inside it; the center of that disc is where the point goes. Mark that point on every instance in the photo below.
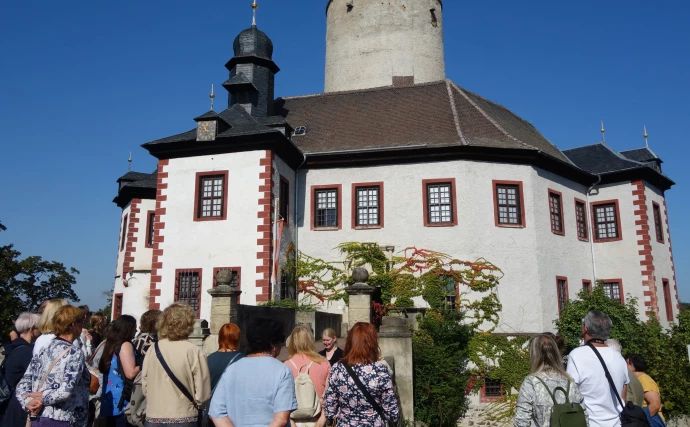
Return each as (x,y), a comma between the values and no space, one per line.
(175,377)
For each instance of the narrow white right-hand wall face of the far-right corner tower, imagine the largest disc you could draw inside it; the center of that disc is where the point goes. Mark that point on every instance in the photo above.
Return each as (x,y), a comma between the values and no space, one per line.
(663,266)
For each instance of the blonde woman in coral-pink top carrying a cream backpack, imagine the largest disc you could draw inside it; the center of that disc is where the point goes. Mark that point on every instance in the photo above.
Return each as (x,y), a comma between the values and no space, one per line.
(305,359)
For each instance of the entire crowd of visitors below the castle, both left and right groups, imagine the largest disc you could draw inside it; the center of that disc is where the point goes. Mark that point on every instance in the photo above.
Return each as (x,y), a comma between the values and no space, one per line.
(66,367)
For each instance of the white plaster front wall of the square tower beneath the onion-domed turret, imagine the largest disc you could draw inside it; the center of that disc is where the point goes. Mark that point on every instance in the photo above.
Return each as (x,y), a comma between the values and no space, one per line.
(208,244)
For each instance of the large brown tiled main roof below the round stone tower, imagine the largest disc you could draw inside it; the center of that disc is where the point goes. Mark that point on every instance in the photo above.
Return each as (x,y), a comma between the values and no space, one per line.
(436,114)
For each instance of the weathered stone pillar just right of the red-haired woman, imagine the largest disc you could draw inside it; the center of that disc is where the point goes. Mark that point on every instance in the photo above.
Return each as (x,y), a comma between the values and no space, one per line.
(395,341)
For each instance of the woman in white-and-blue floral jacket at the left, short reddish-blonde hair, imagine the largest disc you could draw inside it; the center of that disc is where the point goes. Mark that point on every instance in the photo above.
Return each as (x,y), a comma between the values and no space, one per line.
(55,388)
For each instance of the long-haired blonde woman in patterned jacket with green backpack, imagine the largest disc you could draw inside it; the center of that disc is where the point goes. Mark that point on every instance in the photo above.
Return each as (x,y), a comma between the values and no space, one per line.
(537,393)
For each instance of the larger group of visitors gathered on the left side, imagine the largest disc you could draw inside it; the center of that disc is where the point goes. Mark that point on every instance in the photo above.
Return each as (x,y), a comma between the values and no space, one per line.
(67,367)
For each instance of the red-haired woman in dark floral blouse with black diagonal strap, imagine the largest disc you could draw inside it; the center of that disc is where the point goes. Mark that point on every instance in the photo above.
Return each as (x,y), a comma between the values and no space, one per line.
(344,401)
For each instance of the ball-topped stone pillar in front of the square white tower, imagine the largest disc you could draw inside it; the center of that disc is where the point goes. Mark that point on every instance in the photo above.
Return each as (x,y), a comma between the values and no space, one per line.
(224,304)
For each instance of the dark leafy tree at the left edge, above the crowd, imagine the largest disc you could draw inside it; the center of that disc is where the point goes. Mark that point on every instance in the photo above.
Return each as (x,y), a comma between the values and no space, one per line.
(25,283)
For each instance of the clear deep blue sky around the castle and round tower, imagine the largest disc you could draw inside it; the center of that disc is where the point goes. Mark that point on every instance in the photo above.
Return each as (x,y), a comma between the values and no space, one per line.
(85,82)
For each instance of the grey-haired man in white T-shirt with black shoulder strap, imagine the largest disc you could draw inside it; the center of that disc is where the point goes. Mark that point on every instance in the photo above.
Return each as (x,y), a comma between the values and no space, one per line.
(601,400)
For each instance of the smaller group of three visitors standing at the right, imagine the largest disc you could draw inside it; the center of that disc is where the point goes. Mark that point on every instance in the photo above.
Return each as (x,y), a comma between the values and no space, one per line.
(596,377)
